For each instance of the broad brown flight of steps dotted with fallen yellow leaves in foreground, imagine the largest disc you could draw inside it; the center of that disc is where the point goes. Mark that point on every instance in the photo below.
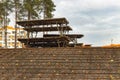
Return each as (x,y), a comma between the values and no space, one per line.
(60,64)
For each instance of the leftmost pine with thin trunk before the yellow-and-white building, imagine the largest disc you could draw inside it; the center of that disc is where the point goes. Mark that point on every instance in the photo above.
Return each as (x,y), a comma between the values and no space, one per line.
(6,9)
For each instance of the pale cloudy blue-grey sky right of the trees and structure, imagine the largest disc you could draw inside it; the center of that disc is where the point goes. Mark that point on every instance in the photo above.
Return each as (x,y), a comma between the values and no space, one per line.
(98,20)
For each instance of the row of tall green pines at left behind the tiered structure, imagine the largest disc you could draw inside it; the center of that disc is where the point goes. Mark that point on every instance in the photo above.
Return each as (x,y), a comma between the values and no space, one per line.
(24,10)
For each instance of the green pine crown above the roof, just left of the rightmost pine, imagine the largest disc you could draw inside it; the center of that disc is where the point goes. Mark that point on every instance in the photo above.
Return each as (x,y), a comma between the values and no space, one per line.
(31,9)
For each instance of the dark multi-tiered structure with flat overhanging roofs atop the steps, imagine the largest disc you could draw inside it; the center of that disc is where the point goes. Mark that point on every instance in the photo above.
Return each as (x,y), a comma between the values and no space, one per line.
(48,40)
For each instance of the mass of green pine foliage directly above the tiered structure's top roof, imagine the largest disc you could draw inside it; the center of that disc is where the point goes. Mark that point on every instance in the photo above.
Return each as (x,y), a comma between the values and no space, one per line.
(33,9)
